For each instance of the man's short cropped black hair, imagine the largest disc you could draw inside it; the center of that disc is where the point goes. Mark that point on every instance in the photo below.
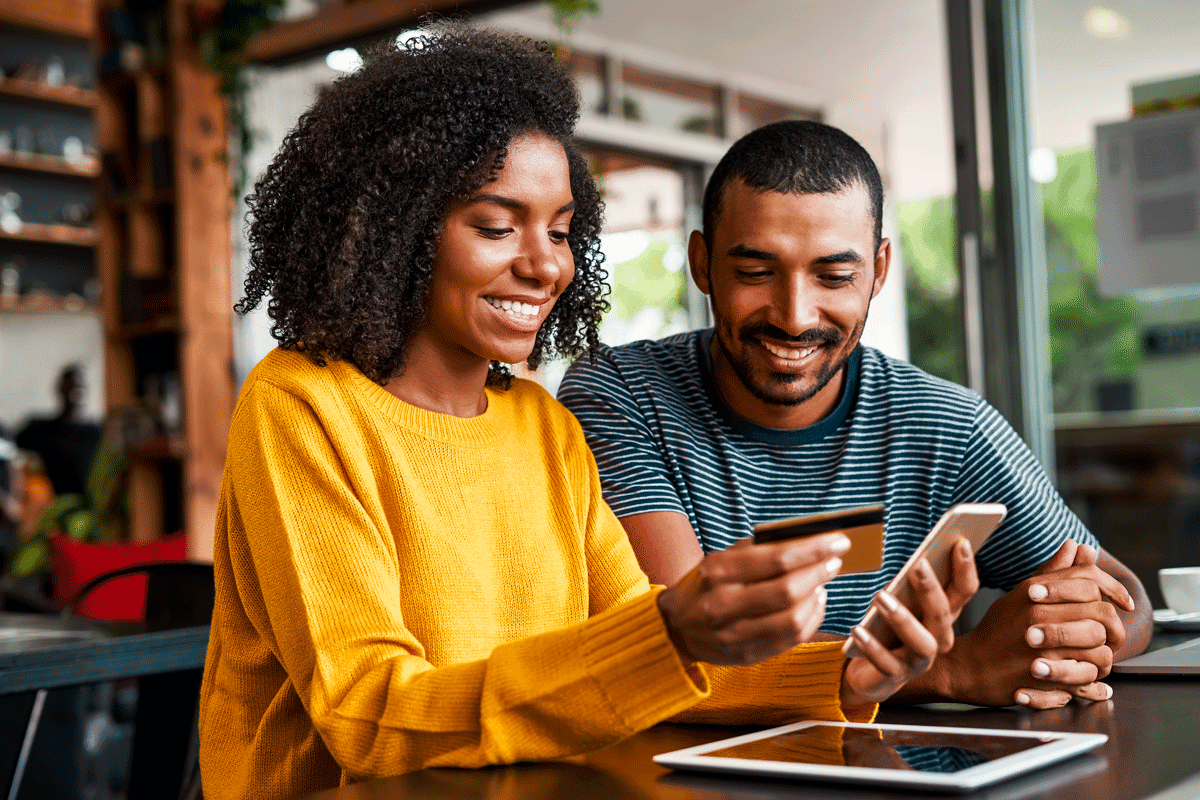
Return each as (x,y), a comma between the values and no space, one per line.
(796,158)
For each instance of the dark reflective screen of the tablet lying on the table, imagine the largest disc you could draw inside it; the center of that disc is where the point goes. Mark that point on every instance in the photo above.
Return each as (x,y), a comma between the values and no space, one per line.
(878,748)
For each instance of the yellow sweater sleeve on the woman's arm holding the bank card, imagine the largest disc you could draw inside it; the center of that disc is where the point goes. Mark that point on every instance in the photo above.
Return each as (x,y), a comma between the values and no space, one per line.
(319,581)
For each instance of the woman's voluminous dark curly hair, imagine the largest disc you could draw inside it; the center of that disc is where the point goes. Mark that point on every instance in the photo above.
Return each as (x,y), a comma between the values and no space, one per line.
(344,226)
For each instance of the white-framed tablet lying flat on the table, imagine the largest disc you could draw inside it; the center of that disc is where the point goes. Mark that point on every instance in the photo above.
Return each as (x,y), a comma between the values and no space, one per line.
(905,756)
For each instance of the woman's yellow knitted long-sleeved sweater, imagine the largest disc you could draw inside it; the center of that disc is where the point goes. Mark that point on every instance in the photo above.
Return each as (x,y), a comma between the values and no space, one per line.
(400,590)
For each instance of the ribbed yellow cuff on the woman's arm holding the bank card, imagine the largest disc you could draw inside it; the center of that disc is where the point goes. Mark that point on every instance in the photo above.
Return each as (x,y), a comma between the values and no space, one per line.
(638,667)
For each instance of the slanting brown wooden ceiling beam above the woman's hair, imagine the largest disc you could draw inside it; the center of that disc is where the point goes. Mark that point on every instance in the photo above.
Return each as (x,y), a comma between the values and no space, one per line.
(353,23)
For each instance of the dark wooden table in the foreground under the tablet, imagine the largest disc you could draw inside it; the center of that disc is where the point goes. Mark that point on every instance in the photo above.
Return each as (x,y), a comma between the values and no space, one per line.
(1154,729)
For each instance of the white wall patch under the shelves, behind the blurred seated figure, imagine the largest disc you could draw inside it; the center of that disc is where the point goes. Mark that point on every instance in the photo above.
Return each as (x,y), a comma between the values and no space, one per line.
(34,348)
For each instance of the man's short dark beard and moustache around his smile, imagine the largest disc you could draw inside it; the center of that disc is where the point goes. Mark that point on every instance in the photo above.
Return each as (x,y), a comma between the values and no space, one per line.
(772,389)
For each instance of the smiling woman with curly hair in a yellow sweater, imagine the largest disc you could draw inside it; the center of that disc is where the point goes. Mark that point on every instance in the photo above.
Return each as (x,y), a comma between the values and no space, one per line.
(415,563)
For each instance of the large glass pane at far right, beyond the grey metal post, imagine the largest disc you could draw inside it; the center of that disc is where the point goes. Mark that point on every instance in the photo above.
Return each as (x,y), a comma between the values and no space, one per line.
(1118,154)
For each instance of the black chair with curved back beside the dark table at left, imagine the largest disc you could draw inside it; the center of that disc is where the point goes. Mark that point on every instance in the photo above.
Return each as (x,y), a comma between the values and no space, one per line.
(165,759)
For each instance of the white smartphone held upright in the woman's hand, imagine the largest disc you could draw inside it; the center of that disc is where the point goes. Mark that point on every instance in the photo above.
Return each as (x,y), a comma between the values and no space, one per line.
(971,521)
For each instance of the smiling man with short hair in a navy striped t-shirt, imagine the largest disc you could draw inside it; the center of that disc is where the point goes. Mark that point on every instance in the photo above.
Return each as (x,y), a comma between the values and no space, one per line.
(779,412)
